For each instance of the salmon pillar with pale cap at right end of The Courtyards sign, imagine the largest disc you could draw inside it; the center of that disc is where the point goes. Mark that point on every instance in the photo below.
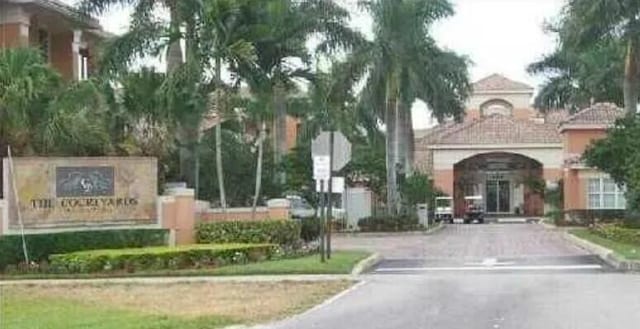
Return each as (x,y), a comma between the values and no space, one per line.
(180,217)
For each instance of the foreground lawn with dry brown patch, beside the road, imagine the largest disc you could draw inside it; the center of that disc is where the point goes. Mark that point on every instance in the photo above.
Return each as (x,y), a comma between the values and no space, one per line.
(157,306)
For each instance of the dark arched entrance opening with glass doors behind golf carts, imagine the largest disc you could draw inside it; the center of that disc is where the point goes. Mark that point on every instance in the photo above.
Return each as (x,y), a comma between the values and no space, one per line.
(510,184)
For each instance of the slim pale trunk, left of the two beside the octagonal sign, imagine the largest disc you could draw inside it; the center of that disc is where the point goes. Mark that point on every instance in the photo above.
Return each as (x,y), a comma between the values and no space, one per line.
(391,150)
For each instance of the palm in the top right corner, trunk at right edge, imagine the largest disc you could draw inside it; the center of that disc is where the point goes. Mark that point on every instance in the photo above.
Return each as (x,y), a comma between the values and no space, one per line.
(586,22)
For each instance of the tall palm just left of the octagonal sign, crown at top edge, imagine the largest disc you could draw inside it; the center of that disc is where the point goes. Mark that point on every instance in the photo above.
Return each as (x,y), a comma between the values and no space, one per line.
(280,32)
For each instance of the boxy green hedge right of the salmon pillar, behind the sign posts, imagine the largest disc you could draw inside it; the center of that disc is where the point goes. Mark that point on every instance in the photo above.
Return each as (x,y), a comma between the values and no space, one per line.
(281,232)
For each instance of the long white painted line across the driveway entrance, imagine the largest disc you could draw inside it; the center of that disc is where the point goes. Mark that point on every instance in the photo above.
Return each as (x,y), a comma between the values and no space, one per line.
(500,268)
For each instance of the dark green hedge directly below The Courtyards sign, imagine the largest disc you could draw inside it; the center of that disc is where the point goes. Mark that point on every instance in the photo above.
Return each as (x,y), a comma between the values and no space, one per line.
(40,246)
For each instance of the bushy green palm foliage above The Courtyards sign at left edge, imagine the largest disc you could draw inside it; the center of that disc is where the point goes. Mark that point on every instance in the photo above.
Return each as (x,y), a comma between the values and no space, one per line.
(40,114)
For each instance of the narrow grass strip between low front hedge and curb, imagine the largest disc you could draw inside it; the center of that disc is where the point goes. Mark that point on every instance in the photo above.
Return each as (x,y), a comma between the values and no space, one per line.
(341,262)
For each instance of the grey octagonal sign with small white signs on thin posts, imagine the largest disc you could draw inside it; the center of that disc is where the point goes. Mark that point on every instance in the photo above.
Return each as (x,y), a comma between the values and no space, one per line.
(337,148)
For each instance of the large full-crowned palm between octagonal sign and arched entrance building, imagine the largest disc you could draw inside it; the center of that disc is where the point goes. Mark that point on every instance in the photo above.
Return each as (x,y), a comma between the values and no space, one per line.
(403,63)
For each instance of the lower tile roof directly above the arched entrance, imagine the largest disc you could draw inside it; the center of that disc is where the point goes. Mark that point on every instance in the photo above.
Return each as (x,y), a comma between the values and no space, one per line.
(499,129)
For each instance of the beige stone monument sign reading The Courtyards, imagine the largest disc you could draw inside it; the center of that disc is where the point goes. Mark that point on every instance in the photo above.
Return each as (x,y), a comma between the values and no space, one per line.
(63,193)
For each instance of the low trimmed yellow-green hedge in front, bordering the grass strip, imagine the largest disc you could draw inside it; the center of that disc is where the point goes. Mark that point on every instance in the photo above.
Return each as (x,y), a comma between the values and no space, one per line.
(159,258)
